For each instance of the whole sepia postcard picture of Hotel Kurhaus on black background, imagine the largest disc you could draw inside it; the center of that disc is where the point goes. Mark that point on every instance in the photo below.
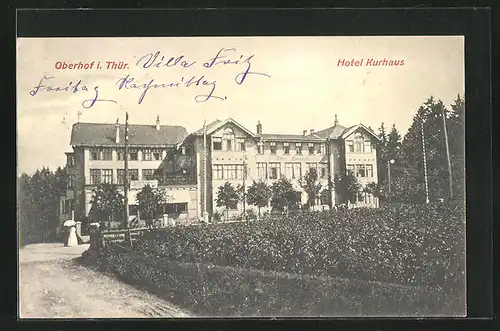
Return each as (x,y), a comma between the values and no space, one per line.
(299,176)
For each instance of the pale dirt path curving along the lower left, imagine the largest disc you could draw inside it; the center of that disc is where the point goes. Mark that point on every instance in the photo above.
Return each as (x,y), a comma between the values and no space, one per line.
(52,284)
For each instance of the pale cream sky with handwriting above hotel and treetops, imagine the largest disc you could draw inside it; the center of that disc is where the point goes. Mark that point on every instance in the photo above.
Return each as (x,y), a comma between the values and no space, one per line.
(296,84)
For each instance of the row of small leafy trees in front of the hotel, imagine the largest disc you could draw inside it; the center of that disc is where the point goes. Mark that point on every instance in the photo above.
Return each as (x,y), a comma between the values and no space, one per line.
(108,201)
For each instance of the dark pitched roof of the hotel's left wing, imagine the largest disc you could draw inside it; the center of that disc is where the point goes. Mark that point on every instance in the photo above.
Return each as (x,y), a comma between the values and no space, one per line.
(100,134)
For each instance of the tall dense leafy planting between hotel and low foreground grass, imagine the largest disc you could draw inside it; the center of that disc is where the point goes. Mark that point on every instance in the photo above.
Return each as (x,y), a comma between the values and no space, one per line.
(412,245)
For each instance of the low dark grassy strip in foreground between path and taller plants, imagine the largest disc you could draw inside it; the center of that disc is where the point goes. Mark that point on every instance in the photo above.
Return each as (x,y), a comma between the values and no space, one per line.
(207,290)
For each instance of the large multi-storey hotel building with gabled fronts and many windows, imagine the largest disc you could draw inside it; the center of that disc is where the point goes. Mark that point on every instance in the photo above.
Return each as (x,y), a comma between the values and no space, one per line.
(191,167)
